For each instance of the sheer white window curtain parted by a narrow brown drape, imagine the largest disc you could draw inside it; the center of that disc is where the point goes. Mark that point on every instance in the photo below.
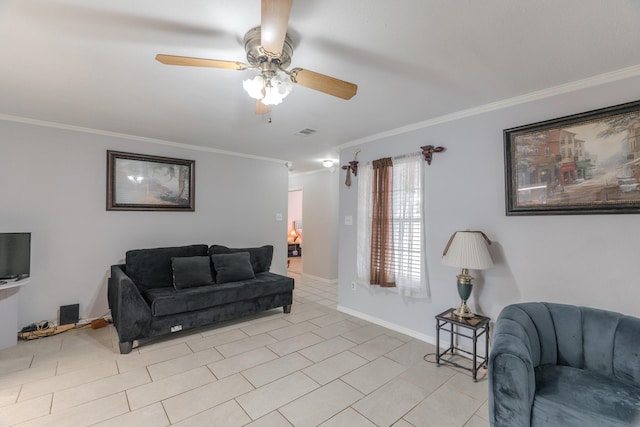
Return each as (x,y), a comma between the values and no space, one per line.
(408,226)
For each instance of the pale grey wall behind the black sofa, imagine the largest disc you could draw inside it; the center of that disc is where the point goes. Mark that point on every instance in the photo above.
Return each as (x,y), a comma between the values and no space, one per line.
(53,183)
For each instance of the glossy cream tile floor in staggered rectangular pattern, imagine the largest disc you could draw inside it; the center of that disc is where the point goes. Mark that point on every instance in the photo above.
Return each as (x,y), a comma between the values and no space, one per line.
(312,367)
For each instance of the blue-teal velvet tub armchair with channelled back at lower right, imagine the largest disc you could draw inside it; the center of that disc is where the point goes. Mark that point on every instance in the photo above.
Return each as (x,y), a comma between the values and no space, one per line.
(562,365)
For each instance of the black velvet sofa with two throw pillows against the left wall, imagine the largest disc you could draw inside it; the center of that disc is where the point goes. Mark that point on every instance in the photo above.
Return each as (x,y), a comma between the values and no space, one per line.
(163,290)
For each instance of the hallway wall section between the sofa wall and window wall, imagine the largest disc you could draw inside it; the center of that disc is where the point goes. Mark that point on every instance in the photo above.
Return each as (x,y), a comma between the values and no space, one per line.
(320,223)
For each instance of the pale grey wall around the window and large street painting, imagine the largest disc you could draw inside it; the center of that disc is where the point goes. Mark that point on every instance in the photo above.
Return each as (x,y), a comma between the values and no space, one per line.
(579,259)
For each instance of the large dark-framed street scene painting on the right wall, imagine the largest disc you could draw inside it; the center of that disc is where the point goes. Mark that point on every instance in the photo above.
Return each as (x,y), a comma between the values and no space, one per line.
(587,163)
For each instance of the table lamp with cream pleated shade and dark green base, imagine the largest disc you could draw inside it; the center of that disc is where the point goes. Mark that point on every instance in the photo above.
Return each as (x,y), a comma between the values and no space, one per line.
(467,250)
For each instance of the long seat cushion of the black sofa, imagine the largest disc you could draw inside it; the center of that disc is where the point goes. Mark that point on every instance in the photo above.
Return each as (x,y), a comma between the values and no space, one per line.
(167,301)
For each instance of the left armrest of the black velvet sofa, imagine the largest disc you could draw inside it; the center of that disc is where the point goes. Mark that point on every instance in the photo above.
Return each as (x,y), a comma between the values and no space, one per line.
(130,312)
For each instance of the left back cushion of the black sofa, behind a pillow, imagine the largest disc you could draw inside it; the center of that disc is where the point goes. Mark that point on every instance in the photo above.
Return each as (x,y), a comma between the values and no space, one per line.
(151,268)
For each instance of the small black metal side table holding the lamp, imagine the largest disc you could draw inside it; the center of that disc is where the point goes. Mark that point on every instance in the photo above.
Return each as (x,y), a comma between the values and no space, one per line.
(474,327)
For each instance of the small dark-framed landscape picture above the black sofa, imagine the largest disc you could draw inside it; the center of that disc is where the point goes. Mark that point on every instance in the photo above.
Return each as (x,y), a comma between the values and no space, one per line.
(138,182)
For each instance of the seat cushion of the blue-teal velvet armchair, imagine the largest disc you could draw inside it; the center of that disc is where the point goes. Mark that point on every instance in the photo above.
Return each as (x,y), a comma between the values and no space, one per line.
(567,396)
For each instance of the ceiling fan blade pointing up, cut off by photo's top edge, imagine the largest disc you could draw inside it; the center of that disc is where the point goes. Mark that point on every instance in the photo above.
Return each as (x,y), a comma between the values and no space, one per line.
(273,27)
